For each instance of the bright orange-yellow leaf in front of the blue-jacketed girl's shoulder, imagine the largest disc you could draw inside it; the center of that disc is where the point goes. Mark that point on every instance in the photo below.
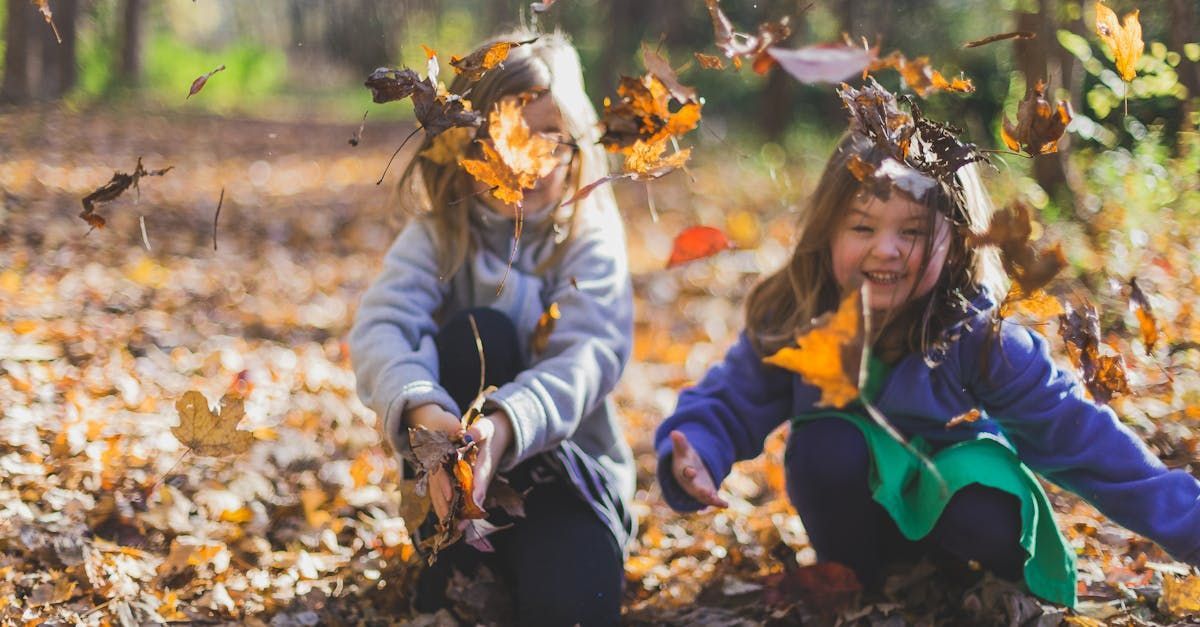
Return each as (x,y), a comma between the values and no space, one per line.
(831,355)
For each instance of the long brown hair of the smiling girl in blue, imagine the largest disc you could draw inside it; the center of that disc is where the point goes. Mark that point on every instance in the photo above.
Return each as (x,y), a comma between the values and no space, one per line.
(785,303)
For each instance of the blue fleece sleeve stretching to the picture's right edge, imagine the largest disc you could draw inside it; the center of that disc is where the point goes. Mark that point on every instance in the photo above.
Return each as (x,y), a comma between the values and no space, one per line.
(1083,446)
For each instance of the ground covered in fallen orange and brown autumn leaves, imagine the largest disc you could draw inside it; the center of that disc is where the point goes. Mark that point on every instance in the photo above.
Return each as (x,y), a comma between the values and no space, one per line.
(106,519)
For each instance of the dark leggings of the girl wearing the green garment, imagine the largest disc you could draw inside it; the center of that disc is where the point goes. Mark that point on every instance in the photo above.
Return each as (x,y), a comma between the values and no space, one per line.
(827,467)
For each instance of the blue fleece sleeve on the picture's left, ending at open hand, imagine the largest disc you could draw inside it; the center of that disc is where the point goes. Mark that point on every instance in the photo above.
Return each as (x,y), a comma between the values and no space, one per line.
(727,419)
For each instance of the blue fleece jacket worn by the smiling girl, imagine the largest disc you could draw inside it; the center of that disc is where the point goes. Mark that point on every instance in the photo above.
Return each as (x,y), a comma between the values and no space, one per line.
(1042,411)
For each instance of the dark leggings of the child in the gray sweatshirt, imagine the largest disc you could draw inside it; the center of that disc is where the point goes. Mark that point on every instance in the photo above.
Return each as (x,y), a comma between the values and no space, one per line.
(561,562)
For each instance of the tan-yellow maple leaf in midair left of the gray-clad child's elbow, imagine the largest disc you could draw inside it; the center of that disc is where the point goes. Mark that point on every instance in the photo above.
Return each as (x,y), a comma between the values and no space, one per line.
(208,434)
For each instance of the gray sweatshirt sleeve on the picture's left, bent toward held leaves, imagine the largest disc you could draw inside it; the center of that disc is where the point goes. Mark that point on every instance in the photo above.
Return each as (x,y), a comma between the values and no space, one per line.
(392,343)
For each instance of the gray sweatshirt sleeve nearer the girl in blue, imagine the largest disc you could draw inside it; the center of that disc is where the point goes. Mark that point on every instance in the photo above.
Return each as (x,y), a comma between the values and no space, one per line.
(587,350)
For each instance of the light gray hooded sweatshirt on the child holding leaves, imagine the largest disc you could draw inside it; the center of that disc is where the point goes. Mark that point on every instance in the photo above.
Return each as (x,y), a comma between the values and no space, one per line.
(560,407)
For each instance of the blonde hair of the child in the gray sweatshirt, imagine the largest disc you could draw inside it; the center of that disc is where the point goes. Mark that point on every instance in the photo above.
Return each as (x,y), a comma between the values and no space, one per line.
(440,193)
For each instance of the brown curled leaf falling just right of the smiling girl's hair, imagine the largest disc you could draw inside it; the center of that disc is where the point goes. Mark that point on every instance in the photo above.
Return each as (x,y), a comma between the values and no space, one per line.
(1011,231)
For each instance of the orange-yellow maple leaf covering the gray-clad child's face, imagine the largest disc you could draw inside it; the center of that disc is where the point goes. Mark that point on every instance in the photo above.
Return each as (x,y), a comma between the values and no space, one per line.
(514,157)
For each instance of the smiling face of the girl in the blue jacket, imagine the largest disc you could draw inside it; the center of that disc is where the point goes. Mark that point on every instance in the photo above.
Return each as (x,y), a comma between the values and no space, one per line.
(884,244)
